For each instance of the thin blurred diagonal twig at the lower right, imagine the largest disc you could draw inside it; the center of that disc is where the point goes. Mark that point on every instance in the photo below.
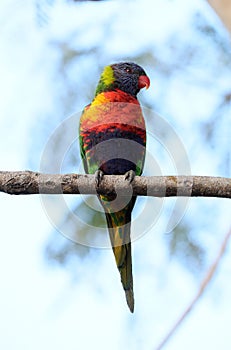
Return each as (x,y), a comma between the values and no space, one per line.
(203,286)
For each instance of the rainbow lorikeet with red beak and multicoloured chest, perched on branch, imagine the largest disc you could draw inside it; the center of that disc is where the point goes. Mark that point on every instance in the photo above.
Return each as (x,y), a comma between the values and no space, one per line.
(112,141)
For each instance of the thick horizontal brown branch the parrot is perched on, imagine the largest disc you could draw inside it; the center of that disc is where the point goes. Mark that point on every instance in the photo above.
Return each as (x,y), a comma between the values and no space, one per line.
(28,182)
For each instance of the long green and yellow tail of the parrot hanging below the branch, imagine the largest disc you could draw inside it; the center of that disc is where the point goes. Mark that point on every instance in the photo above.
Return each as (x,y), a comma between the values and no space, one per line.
(119,224)
